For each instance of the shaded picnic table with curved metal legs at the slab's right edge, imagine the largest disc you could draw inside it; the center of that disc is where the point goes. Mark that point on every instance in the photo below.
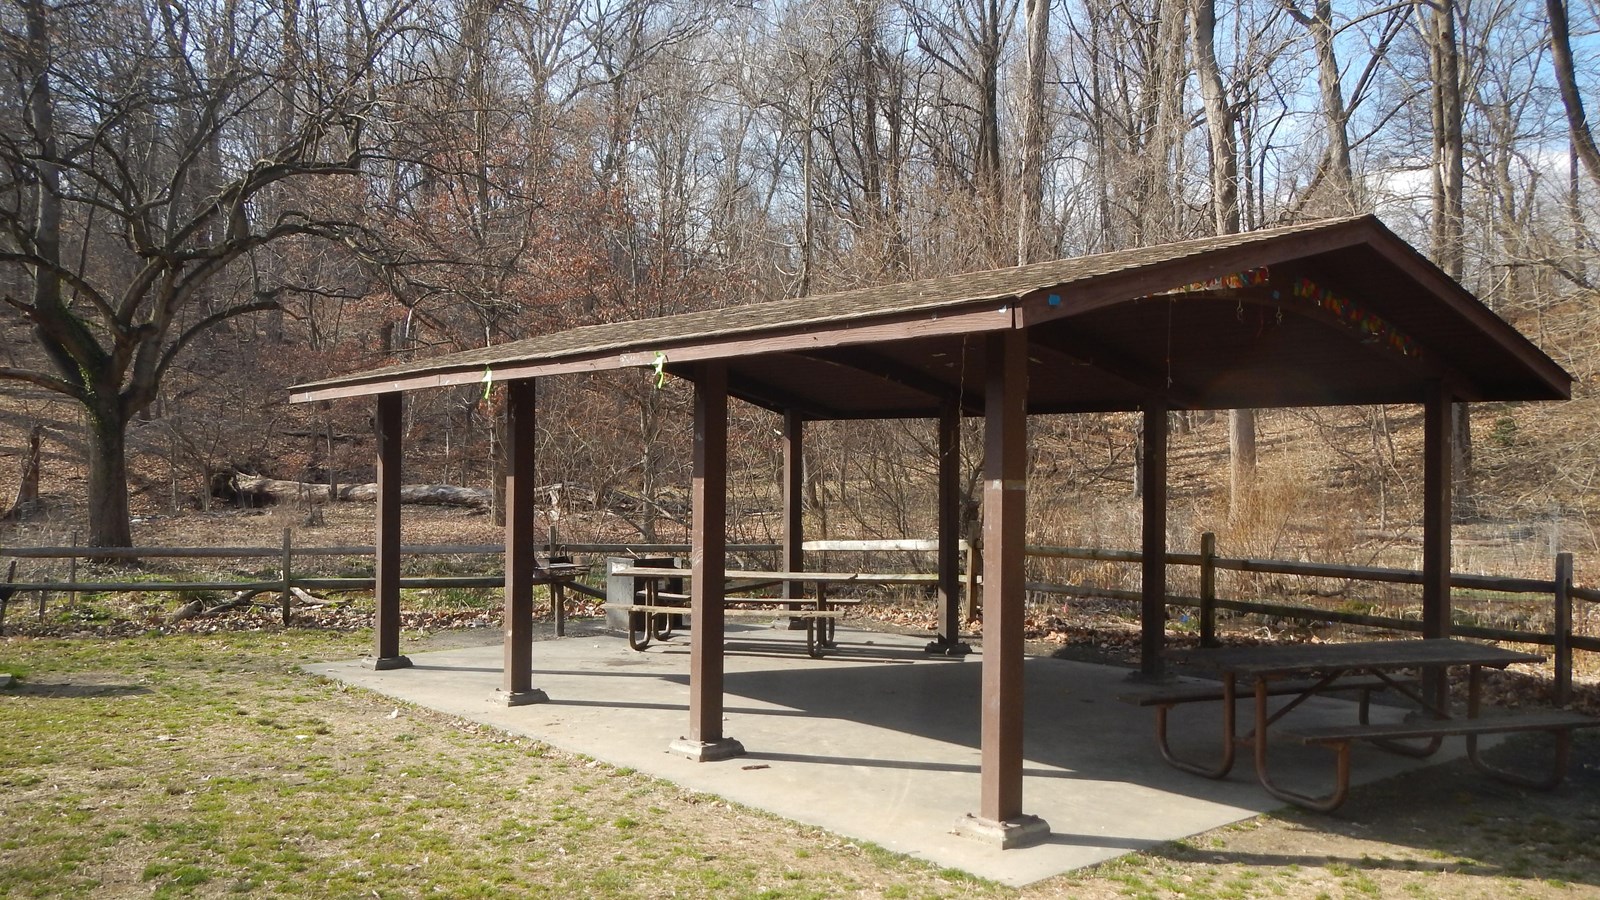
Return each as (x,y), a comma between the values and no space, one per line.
(1302,672)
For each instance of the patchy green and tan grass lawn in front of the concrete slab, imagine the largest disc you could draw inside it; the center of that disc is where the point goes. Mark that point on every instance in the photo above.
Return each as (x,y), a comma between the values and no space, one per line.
(210,766)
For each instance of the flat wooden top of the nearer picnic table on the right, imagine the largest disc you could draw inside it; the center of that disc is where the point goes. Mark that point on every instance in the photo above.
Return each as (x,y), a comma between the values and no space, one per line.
(1377,656)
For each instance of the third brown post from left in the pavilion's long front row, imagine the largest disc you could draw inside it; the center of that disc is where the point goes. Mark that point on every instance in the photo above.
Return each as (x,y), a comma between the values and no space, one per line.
(708,569)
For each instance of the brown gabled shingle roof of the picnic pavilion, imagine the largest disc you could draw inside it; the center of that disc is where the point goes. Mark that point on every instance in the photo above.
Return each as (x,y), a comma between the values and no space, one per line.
(1326,313)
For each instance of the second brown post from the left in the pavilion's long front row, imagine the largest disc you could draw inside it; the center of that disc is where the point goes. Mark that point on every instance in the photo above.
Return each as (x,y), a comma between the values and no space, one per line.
(521,504)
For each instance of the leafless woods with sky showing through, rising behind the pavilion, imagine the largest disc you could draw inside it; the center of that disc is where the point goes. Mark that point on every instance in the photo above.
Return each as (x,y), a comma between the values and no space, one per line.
(206,203)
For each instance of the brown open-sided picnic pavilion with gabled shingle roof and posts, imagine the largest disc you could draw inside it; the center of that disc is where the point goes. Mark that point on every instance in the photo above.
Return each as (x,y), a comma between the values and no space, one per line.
(1330,313)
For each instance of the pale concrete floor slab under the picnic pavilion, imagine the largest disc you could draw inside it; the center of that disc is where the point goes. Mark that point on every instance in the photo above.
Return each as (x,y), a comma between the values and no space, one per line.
(879,741)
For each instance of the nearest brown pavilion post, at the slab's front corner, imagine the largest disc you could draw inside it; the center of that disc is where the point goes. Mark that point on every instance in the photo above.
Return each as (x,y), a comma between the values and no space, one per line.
(1001,819)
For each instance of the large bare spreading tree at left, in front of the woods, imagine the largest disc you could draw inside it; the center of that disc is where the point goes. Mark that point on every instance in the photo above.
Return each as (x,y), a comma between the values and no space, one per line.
(150,148)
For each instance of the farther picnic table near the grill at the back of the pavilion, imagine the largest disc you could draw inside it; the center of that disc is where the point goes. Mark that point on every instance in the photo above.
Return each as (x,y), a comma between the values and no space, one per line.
(655,617)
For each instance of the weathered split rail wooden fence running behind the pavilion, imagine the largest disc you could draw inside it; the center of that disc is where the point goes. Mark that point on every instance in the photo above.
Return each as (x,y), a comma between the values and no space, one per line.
(1561,589)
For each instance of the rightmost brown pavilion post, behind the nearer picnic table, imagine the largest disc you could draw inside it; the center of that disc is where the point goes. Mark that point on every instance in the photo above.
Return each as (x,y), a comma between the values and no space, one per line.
(1438,452)
